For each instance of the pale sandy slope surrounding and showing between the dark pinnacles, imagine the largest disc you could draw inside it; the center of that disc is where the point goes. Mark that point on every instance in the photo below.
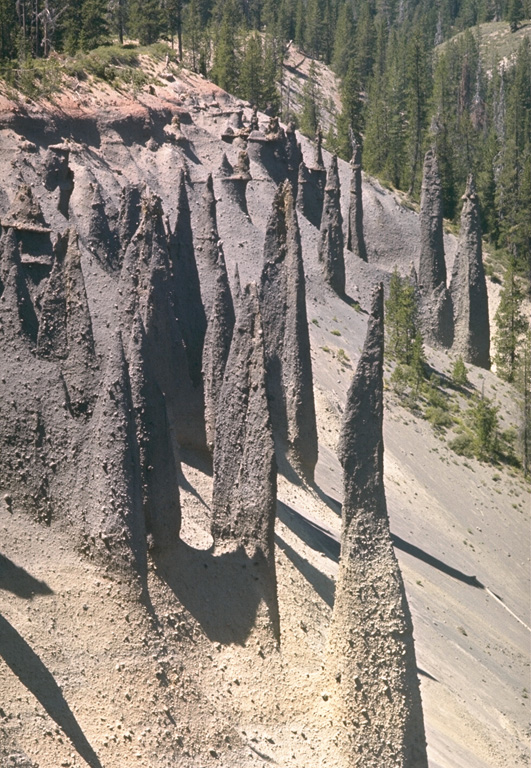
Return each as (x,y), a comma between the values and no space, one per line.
(90,676)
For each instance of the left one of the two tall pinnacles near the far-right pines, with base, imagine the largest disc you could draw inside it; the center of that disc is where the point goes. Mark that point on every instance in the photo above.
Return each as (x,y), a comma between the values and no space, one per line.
(435,310)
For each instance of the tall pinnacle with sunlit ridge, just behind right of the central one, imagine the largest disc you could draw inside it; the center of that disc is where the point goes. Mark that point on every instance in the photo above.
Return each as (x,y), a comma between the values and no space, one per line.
(286,337)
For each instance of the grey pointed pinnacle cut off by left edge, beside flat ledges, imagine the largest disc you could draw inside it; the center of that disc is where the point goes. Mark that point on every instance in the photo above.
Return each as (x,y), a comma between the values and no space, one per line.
(16,308)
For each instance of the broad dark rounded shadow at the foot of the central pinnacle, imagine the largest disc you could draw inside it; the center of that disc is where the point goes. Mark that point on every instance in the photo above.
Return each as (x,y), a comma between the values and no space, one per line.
(223,592)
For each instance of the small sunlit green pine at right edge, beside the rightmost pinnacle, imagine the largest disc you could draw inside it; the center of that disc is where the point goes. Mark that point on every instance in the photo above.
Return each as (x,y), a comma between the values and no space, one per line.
(510,326)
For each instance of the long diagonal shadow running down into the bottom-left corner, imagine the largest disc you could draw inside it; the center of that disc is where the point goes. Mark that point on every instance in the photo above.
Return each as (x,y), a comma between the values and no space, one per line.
(27,666)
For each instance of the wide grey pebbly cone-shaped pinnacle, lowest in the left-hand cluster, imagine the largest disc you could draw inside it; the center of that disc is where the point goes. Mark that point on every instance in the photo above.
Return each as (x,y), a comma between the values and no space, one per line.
(109,481)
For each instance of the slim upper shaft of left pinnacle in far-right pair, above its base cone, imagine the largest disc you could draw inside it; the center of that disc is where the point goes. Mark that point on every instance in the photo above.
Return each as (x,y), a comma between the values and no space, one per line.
(432,267)
